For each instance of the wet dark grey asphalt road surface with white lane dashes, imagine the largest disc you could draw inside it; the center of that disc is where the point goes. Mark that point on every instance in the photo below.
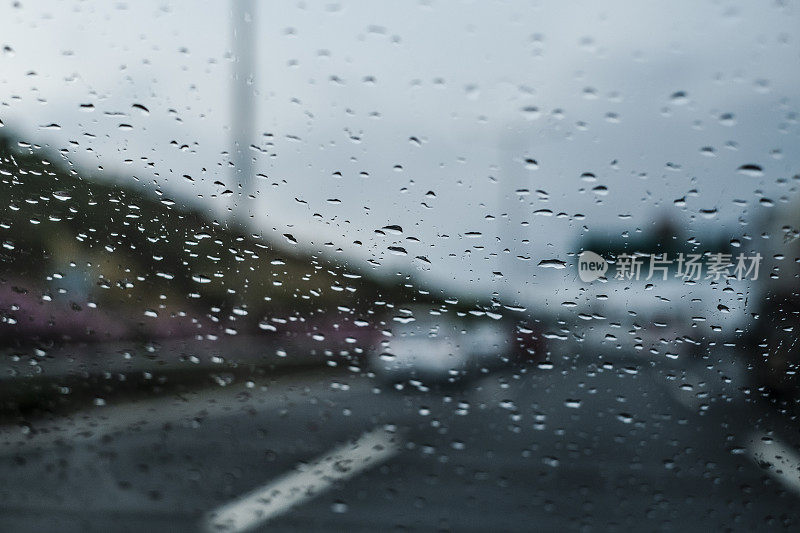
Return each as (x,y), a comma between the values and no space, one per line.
(622,443)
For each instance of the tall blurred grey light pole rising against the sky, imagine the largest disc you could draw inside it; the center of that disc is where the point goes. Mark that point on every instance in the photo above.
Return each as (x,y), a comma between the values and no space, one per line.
(243,100)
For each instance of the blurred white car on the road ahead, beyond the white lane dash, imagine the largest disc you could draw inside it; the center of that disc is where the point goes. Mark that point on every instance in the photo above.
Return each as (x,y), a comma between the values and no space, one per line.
(443,348)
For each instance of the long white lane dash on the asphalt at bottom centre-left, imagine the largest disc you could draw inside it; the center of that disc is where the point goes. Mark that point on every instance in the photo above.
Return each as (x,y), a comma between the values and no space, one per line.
(311,480)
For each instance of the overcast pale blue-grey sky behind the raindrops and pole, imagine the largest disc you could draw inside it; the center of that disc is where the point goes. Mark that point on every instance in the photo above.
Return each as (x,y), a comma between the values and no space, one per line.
(483,86)
